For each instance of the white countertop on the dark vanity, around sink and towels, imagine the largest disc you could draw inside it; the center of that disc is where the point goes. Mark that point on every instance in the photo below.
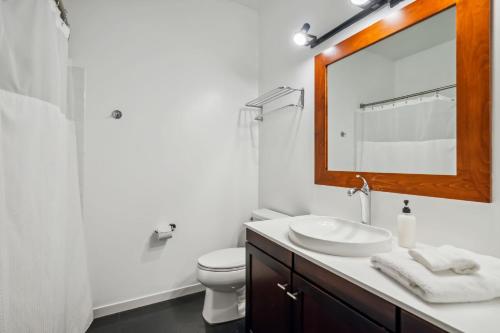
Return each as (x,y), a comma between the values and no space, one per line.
(483,317)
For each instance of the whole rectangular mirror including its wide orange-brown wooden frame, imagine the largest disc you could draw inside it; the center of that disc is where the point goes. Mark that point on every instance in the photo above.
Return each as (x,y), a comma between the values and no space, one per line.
(406,103)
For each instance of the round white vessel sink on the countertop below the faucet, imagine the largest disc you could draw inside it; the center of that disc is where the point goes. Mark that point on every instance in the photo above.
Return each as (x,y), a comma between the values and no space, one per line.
(339,237)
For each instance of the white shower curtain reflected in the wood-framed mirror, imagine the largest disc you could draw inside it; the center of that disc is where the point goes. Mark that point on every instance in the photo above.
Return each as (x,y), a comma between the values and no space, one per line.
(416,136)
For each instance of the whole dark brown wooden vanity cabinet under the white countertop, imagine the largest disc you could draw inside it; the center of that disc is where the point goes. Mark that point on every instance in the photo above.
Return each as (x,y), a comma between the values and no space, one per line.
(288,293)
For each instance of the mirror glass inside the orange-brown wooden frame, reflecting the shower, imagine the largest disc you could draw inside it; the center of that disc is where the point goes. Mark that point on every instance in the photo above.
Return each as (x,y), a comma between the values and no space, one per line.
(392,106)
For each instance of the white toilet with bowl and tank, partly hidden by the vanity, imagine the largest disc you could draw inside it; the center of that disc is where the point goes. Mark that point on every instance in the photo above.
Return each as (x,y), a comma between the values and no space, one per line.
(222,272)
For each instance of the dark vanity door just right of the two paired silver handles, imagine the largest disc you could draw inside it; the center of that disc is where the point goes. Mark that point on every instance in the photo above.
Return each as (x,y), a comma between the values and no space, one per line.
(316,311)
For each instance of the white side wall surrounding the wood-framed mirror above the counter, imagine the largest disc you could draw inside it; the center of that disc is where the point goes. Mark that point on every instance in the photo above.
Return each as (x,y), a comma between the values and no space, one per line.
(287,141)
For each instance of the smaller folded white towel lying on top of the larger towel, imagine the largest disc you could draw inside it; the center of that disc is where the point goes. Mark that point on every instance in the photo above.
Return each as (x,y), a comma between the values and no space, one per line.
(444,258)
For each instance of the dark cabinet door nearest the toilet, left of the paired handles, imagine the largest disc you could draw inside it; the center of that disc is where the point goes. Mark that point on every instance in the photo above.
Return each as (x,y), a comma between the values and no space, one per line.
(267,281)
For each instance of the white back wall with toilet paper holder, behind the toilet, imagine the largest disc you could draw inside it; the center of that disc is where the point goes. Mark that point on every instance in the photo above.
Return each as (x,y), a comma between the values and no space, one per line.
(183,152)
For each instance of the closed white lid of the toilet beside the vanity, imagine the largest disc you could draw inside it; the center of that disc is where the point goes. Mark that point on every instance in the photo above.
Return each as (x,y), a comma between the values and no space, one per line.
(232,258)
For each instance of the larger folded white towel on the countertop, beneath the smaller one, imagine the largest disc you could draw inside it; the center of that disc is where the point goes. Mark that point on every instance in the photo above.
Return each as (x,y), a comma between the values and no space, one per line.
(444,286)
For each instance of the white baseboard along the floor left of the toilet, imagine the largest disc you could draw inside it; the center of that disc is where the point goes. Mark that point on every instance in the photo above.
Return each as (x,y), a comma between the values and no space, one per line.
(130,304)
